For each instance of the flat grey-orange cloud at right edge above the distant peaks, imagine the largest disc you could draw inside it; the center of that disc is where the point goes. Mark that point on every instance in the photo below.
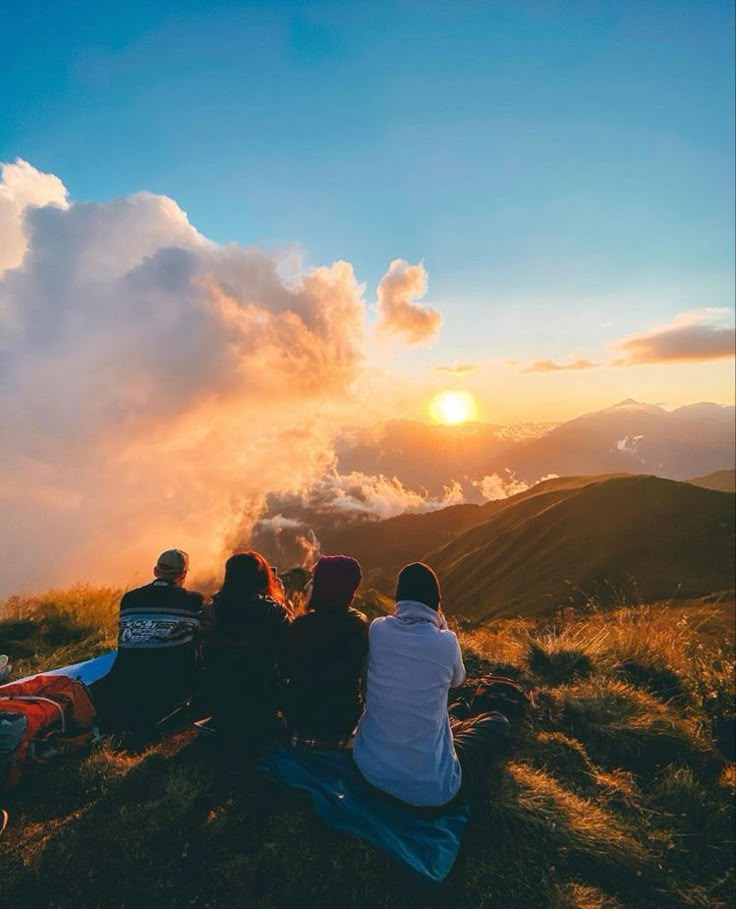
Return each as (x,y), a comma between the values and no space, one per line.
(702,334)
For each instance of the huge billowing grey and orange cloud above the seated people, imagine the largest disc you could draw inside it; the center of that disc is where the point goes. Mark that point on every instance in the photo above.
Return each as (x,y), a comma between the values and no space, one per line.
(154,386)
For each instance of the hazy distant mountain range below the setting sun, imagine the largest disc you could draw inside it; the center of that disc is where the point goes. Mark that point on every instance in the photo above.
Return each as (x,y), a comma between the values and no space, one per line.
(629,437)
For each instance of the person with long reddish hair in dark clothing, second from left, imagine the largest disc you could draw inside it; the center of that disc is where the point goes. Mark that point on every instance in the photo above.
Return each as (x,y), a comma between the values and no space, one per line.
(243,643)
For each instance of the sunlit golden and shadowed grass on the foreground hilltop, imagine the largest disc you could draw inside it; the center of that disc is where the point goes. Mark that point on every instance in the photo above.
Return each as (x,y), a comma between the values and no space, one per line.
(618,793)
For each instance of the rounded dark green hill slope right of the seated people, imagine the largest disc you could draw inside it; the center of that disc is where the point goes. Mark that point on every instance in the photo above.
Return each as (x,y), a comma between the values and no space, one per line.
(626,537)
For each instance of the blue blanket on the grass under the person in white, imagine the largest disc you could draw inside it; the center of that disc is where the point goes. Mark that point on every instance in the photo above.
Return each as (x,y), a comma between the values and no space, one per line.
(343,800)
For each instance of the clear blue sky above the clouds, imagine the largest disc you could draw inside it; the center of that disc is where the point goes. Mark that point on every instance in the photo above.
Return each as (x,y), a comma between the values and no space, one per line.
(564,170)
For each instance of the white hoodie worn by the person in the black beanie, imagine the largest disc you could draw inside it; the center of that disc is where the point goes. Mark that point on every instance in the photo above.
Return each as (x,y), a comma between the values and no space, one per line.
(403,745)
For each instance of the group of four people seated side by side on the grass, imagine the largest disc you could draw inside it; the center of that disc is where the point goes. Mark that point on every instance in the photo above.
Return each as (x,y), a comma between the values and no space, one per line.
(324,679)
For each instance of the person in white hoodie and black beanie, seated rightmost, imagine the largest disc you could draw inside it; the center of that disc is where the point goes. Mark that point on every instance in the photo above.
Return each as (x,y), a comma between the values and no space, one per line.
(405,744)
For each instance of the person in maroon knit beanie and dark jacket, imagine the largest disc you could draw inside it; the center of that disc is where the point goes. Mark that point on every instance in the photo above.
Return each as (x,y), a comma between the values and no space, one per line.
(325,658)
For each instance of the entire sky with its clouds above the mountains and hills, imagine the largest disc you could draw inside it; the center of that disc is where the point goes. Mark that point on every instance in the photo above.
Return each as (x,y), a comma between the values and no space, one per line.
(228,229)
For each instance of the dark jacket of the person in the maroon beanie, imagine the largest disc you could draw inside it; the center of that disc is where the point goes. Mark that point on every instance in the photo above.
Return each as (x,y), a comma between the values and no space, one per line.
(323,662)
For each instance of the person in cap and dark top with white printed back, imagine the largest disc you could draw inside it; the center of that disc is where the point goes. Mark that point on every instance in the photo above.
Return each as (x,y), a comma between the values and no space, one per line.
(156,663)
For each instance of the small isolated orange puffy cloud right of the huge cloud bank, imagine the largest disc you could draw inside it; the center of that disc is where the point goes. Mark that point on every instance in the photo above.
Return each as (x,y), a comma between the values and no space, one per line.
(398,313)
